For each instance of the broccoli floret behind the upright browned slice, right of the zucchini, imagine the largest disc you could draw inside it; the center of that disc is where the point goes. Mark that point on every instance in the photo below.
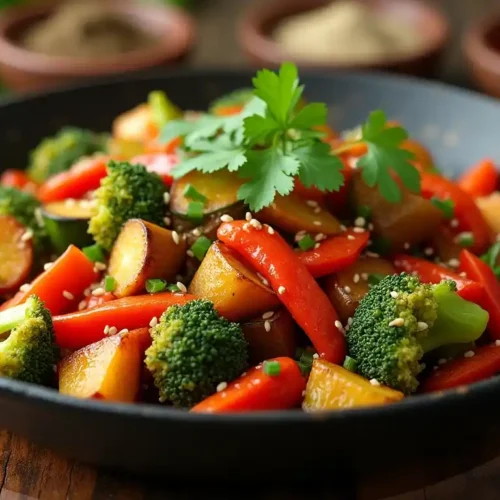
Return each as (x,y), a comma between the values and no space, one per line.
(128,192)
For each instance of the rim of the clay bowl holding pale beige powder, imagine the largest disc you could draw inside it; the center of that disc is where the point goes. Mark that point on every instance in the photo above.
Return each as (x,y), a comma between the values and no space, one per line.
(259,45)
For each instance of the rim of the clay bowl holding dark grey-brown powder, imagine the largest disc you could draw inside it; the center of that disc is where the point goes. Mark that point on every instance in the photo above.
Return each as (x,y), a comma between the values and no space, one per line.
(170,46)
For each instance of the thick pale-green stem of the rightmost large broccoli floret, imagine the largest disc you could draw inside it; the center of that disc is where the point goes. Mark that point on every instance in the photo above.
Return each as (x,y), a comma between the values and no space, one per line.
(458,320)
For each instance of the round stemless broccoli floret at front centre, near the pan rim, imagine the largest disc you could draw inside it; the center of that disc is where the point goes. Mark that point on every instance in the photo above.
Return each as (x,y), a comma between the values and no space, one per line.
(193,351)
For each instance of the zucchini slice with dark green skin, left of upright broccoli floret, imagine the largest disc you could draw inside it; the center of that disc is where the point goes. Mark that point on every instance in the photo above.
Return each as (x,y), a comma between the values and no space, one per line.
(67,223)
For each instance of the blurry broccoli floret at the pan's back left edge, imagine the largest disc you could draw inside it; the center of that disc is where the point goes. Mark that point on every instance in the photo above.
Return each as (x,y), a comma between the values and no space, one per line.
(58,153)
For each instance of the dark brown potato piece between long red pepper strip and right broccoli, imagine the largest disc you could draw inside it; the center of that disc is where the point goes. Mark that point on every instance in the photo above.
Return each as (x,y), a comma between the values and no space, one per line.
(346,288)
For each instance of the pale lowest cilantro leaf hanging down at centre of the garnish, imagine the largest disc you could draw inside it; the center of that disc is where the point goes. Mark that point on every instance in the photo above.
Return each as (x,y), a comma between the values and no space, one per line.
(270,171)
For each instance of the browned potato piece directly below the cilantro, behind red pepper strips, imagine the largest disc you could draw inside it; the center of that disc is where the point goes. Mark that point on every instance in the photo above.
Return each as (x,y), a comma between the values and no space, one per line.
(292,214)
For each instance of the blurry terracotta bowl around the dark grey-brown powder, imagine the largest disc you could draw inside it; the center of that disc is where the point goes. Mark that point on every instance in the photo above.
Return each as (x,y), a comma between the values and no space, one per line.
(24,70)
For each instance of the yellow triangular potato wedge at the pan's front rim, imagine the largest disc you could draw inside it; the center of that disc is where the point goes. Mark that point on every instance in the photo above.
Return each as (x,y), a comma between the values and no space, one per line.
(331,387)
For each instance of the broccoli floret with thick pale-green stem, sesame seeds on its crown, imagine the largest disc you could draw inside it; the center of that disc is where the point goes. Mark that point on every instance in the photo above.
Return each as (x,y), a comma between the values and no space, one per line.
(401,319)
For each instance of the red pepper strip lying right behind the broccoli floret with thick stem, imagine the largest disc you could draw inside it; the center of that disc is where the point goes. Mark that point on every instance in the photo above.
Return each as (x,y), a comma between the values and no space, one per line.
(429,272)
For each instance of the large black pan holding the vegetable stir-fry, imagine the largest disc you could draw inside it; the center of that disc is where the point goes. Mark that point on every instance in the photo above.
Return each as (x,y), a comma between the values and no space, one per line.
(425,437)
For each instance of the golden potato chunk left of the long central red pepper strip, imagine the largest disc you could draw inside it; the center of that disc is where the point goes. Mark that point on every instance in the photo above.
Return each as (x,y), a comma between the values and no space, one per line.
(235,289)
